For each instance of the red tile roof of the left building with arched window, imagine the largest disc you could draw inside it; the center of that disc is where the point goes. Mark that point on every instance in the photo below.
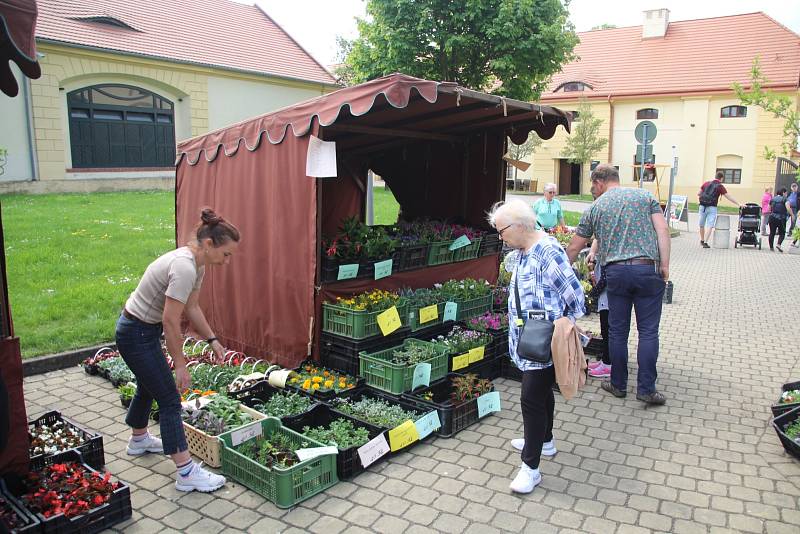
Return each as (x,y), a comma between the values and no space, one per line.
(217,33)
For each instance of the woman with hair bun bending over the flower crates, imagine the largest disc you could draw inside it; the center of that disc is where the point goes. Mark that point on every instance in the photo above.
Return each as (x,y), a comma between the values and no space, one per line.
(169,290)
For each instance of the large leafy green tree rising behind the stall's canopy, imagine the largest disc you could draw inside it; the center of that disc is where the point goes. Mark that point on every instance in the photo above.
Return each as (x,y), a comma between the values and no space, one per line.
(507,47)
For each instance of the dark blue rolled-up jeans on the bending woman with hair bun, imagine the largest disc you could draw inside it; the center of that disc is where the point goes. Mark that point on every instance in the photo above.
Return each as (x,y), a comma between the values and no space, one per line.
(139,344)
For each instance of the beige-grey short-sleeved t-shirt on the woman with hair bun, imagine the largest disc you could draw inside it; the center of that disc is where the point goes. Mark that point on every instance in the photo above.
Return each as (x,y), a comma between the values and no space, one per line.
(173,275)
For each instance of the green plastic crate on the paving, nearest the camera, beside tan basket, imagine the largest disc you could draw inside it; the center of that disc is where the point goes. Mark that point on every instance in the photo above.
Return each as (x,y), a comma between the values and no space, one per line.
(284,487)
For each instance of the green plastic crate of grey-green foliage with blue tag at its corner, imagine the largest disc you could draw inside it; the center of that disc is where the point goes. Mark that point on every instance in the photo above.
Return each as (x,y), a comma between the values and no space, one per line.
(379,372)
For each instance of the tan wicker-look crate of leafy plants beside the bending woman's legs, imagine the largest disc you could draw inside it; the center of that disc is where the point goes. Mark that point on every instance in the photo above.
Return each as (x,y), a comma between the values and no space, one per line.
(204,419)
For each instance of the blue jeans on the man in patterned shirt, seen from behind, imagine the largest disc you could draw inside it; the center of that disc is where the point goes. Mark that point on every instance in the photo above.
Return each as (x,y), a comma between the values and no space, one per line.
(639,287)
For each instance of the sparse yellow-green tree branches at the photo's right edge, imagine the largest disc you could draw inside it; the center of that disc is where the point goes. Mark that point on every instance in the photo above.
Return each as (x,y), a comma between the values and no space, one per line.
(780,106)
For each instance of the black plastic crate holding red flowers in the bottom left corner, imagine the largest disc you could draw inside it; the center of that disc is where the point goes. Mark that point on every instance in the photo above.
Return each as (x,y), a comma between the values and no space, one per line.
(116,510)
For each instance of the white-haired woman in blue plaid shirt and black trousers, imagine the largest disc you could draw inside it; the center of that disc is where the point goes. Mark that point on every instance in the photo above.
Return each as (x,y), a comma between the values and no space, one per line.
(546,282)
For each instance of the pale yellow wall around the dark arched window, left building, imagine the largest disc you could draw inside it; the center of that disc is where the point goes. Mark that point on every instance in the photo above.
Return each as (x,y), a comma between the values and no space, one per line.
(66,68)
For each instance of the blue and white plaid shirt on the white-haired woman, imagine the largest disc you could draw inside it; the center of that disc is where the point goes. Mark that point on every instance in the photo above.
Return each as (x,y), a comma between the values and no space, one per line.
(546,282)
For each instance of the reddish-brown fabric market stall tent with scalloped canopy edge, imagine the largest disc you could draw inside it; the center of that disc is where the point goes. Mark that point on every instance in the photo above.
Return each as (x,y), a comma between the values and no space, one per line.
(438,146)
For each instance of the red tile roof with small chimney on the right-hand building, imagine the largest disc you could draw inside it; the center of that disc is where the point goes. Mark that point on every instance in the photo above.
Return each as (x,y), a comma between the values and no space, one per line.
(695,56)
